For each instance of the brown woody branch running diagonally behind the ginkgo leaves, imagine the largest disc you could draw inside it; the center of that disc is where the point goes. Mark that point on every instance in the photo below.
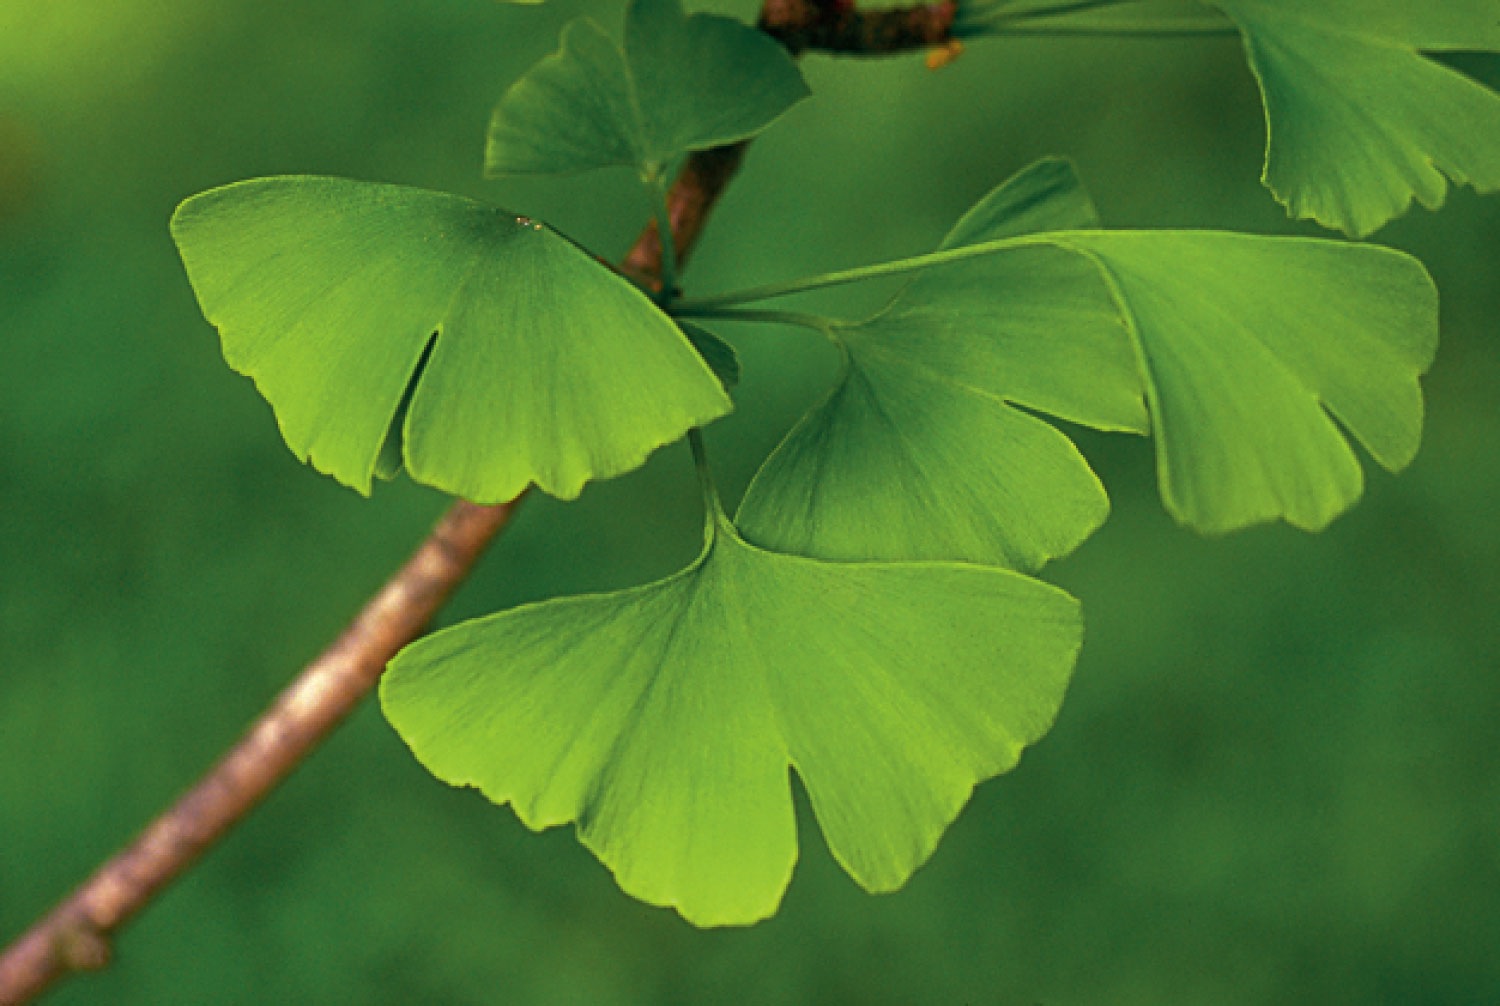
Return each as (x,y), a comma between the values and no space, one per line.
(79,933)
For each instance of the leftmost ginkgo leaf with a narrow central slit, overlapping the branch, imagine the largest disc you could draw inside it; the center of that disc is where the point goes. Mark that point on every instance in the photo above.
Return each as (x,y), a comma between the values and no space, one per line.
(541,365)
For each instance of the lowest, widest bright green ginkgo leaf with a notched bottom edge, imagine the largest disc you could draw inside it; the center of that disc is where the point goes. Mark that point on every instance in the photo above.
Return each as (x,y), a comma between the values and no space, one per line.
(664,719)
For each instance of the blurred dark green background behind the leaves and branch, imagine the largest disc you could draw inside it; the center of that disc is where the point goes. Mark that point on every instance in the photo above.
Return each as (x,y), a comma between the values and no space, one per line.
(1276,779)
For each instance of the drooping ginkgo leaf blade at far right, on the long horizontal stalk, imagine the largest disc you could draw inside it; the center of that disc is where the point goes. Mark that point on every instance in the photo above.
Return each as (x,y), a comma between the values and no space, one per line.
(1256,353)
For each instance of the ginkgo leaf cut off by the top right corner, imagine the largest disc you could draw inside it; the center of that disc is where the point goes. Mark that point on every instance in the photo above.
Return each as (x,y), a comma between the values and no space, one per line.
(1360,119)
